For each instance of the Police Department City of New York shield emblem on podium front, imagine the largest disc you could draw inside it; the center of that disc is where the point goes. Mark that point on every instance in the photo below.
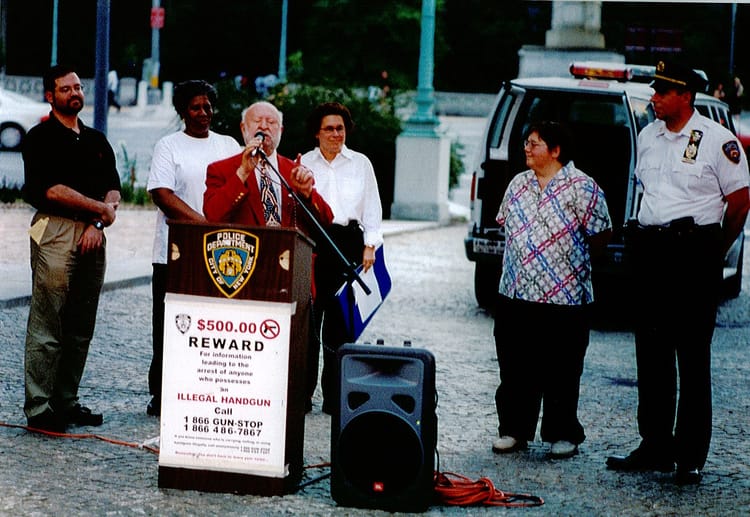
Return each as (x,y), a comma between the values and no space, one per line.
(230,258)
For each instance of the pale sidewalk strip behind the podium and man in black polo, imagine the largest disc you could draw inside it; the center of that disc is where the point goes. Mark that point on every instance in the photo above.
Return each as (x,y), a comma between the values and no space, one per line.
(129,245)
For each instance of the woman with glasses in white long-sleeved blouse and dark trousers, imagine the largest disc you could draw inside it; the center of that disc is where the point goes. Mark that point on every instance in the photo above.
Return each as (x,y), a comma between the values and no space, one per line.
(346,180)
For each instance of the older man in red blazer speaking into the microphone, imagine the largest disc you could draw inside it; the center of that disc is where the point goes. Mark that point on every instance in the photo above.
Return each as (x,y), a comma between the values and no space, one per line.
(233,185)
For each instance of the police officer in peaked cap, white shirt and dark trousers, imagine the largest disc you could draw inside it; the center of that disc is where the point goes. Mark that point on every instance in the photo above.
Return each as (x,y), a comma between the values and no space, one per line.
(694,175)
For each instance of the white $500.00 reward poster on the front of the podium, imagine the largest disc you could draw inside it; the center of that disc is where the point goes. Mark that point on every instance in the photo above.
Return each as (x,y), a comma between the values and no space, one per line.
(224,396)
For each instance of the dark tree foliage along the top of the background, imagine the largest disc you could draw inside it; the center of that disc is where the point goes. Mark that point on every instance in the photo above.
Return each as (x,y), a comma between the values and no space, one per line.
(348,42)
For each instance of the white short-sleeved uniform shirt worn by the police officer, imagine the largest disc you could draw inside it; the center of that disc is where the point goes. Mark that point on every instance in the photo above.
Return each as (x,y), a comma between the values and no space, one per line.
(688,174)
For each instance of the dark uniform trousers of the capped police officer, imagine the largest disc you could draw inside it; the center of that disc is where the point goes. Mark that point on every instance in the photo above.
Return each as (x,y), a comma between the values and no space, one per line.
(677,277)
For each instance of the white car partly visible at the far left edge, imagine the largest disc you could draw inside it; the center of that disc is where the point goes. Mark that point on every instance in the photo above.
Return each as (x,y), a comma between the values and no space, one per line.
(18,114)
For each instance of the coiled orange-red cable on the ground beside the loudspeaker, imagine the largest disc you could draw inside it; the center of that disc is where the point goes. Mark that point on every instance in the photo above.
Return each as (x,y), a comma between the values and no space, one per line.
(462,491)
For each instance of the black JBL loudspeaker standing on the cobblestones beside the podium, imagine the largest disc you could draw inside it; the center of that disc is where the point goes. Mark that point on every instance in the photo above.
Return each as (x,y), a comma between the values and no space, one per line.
(384,436)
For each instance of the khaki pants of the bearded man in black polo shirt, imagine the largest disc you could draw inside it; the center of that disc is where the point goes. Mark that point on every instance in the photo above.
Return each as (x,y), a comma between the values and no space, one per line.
(64,300)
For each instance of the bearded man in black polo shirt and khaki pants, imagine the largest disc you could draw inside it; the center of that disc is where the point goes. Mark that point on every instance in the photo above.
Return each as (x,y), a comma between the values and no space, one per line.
(72,180)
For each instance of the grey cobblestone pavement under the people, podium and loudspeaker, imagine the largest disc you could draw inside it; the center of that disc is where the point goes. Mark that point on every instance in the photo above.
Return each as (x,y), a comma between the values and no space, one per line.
(432,305)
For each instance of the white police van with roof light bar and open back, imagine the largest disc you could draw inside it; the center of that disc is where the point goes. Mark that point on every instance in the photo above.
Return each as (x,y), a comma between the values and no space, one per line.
(605,107)
